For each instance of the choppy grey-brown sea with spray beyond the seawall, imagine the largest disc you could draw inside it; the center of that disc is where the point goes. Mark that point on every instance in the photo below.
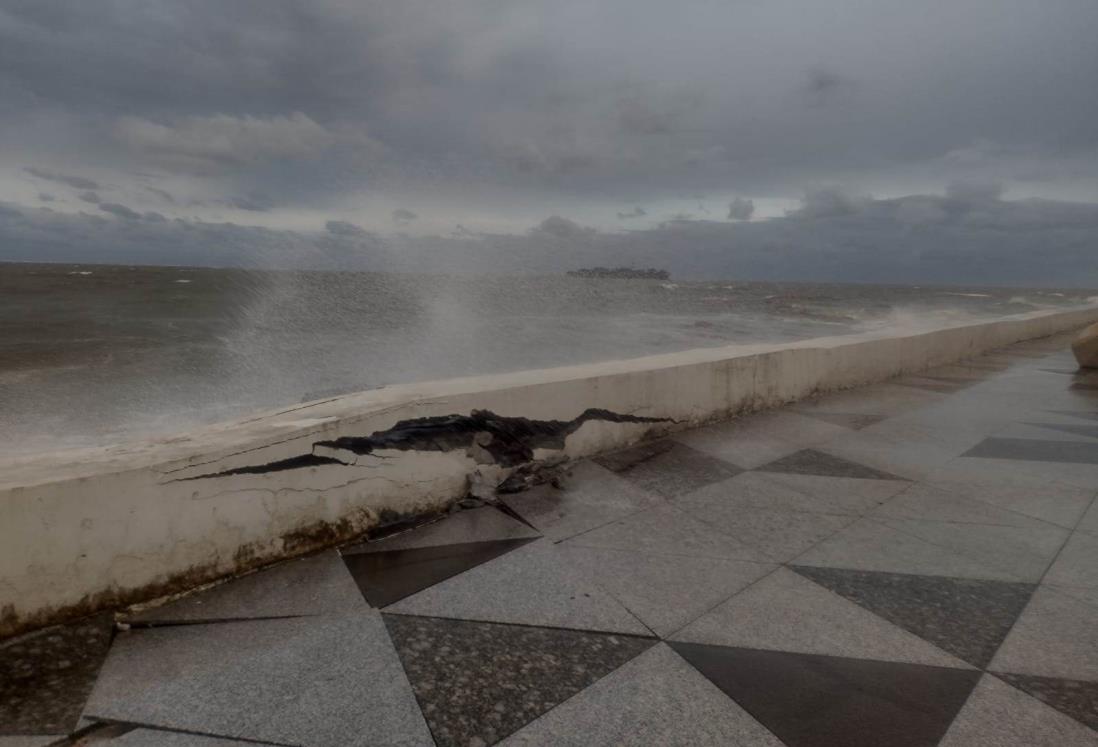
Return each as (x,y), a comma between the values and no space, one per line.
(96,355)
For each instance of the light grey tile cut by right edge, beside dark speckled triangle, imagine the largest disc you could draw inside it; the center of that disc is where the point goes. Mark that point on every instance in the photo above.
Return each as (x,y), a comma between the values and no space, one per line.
(1056,637)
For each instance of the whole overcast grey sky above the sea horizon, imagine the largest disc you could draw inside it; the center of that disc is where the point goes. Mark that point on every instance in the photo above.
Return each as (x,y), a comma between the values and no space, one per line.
(869,140)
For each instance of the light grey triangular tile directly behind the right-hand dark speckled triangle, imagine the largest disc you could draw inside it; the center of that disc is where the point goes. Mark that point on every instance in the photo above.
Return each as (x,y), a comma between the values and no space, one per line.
(870,545)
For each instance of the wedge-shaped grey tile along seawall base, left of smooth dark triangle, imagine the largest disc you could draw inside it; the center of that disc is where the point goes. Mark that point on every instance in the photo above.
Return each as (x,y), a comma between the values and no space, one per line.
(311,586)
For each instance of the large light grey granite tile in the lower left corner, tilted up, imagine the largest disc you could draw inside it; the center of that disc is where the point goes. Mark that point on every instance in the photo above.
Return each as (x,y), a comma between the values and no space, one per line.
(324,681)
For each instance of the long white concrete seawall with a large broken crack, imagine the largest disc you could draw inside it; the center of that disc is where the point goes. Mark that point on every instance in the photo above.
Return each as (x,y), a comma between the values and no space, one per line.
(87,530)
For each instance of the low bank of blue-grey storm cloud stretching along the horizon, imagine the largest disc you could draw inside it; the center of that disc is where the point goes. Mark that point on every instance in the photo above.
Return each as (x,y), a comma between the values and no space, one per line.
(959,239)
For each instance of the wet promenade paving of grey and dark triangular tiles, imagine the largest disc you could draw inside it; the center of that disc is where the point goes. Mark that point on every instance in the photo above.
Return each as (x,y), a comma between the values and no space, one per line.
(914,563)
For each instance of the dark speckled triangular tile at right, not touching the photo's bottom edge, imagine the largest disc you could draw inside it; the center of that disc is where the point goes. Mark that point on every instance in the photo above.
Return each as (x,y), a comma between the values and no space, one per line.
(968,618)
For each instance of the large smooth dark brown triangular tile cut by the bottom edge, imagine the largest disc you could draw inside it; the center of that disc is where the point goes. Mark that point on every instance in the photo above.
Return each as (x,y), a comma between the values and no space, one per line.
(810,700)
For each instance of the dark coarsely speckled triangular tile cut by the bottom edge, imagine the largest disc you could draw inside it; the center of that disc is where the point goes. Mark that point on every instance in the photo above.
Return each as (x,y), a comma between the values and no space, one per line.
(479,683)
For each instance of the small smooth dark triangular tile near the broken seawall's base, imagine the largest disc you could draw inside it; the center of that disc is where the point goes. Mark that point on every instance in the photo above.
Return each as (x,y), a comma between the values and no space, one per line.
(390,576)
